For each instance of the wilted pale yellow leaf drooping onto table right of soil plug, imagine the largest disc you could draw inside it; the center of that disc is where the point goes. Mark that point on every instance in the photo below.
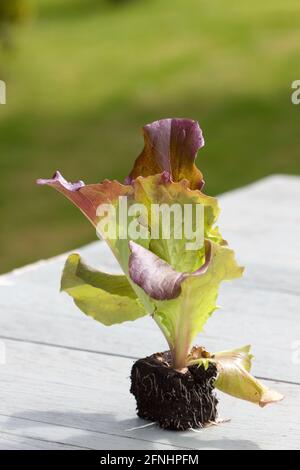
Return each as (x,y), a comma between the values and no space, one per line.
(234,378)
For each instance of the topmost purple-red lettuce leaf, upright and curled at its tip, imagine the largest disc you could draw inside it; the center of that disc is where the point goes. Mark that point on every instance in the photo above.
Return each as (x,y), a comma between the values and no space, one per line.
(171,145)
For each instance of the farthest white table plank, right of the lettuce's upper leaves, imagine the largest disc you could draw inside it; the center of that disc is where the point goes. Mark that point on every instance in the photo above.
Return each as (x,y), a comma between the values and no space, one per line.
(262,224)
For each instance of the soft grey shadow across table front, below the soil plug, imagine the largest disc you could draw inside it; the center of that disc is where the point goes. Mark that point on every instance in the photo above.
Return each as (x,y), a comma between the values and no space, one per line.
(110,431)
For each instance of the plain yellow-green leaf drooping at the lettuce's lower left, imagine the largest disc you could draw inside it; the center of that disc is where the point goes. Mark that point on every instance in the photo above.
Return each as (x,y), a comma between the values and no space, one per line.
(107,298)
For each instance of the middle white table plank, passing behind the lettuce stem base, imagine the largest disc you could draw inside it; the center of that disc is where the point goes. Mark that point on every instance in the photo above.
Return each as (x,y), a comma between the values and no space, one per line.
(265,319)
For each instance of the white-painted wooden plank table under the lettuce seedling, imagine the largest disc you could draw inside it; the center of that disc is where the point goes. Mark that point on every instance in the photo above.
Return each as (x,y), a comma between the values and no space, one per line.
(65,383)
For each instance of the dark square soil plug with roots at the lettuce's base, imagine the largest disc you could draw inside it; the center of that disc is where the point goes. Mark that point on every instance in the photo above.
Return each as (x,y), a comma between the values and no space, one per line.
(175,400)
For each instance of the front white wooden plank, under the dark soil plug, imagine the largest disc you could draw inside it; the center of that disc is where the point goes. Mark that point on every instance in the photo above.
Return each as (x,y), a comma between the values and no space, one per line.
(86,394)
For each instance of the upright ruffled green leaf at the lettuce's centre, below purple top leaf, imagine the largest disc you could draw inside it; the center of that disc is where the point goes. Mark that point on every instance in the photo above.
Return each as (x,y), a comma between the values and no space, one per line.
(159,190)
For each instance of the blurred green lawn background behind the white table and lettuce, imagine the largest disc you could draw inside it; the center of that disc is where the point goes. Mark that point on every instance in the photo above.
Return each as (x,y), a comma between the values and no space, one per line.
(83,76)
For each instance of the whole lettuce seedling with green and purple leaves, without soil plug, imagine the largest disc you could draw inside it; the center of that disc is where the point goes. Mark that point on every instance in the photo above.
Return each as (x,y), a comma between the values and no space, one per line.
(177,287)
